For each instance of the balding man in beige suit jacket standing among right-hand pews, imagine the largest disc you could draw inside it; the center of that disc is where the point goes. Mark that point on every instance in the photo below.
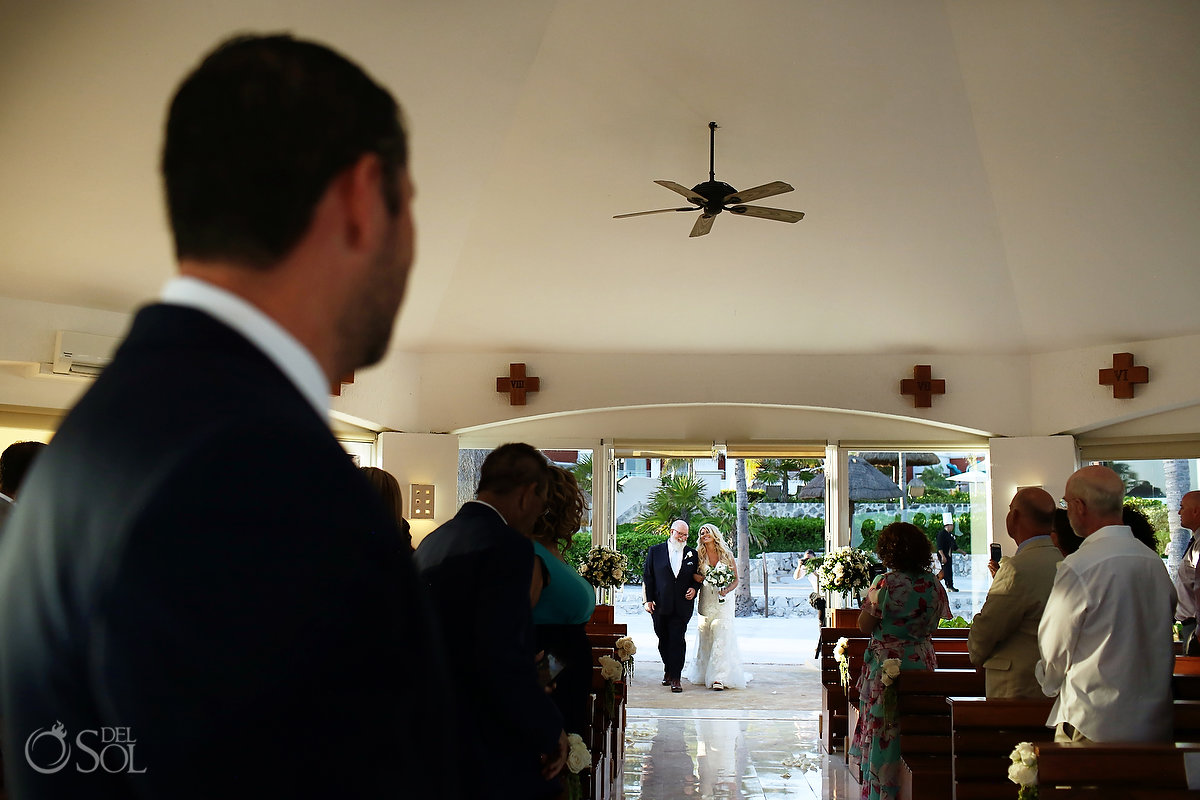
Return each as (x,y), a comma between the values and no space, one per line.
(1005,634)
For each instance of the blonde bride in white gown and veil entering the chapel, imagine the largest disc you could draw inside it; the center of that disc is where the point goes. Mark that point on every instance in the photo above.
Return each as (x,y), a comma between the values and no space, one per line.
(718,663)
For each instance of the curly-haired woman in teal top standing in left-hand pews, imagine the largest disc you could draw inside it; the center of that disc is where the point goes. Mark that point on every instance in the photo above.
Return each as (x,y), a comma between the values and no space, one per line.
(567,601)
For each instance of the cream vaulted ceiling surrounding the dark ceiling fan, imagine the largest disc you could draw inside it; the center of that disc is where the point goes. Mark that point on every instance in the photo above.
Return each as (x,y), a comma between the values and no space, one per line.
(995,177)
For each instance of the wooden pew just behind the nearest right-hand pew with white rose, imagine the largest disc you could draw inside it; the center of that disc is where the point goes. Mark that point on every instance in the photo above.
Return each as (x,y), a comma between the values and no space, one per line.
(983,735)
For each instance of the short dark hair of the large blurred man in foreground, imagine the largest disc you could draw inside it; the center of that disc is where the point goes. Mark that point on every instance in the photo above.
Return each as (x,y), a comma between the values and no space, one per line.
(255,136)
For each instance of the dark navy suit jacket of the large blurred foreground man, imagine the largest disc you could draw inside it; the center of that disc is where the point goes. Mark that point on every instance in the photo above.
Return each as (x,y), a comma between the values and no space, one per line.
(196,567)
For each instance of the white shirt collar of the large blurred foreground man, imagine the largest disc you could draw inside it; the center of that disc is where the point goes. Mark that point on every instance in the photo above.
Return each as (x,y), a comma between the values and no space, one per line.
(284,350)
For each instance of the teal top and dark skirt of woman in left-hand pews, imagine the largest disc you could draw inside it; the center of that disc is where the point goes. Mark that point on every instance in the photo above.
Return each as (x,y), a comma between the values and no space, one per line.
(560,618)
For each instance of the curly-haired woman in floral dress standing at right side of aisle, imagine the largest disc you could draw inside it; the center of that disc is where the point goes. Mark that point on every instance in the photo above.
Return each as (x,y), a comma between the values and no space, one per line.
(901,612)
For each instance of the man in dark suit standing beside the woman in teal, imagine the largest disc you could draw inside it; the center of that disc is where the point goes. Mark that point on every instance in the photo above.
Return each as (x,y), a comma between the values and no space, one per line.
(481,569)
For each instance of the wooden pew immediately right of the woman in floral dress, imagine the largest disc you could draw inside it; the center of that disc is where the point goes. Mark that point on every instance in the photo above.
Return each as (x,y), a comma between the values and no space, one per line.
(925,719)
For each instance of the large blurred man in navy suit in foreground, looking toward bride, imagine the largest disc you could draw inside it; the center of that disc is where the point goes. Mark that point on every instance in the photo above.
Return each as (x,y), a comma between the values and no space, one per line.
(202,598)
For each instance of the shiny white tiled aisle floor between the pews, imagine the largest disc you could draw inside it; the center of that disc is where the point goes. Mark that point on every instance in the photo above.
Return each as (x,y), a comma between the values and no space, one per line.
(719,754)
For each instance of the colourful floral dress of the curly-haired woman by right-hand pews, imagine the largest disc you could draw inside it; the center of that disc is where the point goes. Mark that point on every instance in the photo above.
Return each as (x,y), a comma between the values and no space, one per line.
(910,606)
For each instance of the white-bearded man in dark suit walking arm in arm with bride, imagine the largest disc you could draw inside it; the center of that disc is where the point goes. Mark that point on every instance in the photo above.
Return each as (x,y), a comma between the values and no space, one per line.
(669,587)
